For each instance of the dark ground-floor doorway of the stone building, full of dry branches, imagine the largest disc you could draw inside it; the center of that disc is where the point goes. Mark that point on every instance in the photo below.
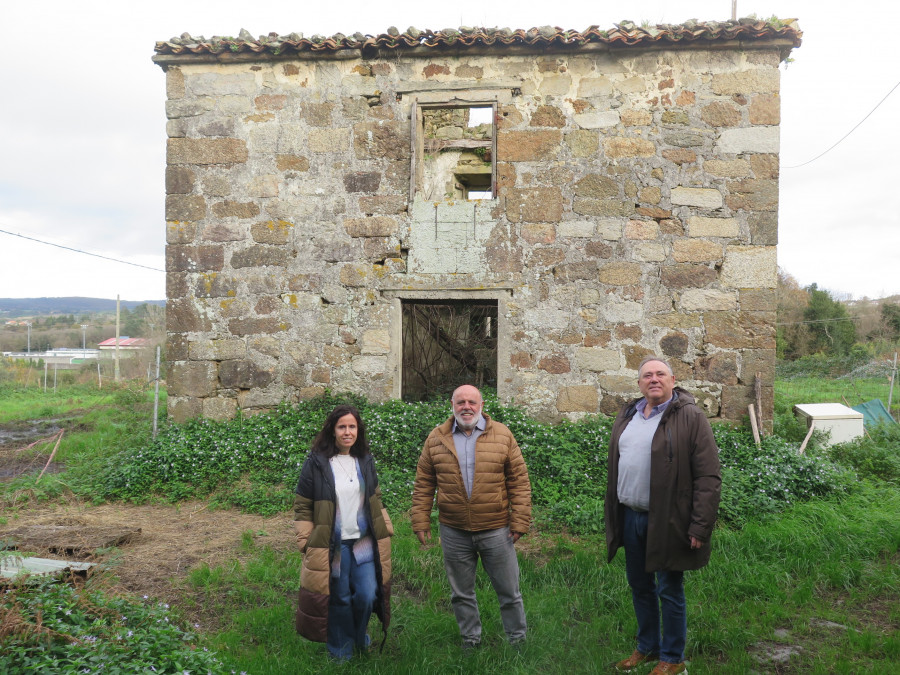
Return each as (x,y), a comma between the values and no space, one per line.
(447,343)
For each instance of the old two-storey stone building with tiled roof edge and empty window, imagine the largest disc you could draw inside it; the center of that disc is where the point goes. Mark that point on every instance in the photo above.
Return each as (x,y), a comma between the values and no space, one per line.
(529,210)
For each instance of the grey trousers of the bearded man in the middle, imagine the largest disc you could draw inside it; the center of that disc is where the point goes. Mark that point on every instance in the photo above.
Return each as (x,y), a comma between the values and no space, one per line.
(498,557)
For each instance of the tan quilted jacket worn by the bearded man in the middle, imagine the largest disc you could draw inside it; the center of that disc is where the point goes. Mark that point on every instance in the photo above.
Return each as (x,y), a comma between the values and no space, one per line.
(501,491)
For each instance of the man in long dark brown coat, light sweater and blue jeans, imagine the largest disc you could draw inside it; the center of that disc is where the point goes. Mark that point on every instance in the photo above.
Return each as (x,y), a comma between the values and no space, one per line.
(662,497)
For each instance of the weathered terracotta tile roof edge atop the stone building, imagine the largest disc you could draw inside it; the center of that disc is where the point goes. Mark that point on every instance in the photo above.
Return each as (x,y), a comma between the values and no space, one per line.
(624,34)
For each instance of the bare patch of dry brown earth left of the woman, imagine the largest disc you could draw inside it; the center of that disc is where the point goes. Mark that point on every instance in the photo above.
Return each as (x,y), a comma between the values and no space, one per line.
(165,543)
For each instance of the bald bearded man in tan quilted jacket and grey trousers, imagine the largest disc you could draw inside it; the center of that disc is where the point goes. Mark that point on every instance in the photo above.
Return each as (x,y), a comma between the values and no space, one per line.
(484,506)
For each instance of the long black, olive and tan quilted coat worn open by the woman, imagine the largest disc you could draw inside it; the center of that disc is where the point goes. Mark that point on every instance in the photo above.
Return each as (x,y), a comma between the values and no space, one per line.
(314,513)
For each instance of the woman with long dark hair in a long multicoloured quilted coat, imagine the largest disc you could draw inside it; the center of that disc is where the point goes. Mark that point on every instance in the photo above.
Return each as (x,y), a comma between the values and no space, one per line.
(344,534)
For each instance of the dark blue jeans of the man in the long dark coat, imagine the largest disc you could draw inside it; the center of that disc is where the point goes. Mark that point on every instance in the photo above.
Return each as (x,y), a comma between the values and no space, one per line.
(653,593)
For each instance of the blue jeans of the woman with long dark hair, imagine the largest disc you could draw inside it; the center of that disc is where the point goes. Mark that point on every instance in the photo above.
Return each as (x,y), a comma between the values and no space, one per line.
(350,602)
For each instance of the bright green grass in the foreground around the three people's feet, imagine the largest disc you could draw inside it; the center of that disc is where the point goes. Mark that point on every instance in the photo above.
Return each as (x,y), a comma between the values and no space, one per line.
(824,561)
